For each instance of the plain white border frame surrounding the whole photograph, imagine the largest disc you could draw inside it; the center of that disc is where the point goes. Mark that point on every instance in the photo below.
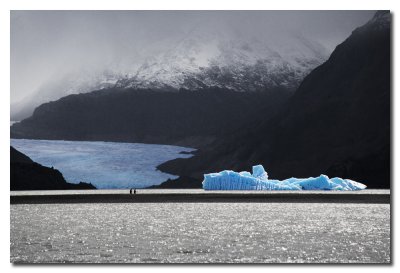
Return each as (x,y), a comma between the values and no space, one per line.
(7,5)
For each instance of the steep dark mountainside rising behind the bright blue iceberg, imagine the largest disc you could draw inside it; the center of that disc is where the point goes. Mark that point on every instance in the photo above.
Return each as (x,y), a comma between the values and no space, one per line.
(337,123)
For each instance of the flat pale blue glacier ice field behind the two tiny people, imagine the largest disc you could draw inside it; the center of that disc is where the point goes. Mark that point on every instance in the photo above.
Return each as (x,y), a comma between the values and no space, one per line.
(104,164)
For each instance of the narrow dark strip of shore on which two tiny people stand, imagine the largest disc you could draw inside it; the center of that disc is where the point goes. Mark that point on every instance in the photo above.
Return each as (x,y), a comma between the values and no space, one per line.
(203,198)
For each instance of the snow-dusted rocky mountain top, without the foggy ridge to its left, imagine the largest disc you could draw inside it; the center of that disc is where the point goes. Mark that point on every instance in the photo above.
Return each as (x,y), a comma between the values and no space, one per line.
(241,65)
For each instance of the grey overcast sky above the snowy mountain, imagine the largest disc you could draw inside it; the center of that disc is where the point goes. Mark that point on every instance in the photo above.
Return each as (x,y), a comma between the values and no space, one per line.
(45,44)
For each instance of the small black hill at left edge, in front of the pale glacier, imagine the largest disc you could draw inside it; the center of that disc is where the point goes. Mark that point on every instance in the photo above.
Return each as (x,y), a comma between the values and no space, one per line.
(26,174)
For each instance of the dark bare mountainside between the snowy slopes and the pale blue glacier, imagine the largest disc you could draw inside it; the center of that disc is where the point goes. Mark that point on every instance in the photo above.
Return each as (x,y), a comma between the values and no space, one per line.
(186,118)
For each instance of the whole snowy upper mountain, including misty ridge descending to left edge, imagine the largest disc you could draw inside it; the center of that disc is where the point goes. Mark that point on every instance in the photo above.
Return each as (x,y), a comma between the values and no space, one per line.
(198,61)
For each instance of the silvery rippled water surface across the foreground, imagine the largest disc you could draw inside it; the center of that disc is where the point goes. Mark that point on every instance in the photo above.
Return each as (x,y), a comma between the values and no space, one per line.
(200,233)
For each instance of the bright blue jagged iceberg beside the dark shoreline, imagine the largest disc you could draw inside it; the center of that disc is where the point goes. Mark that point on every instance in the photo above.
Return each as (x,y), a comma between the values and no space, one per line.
(230,180)
